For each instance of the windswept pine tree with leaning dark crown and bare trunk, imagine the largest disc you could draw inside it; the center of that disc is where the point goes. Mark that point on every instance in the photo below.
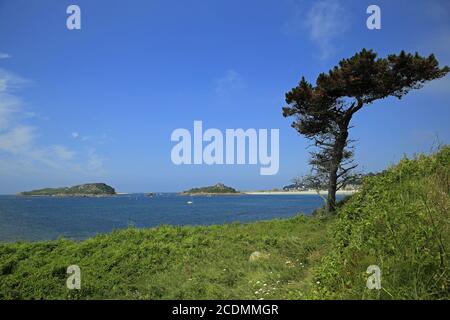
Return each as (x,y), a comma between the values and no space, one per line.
(323,112)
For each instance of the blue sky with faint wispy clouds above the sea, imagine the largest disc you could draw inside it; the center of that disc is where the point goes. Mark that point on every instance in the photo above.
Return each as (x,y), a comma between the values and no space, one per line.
(100,104)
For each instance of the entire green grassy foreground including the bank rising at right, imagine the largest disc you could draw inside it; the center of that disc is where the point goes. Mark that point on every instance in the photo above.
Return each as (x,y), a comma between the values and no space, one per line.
(399,220)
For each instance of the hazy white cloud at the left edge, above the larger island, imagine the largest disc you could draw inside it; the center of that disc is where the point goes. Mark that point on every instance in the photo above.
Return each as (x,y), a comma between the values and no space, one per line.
(20,150)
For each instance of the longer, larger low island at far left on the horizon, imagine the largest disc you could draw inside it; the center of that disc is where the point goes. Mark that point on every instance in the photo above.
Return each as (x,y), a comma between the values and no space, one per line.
(83,190)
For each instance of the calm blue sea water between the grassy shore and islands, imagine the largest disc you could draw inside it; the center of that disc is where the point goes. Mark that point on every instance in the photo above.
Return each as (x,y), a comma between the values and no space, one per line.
(45,218)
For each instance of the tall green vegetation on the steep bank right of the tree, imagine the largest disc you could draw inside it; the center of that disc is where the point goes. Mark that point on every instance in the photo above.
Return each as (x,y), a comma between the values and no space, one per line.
(400,222)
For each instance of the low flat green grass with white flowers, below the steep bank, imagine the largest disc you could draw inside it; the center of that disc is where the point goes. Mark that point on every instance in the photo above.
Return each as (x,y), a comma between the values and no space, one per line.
(170,262)
